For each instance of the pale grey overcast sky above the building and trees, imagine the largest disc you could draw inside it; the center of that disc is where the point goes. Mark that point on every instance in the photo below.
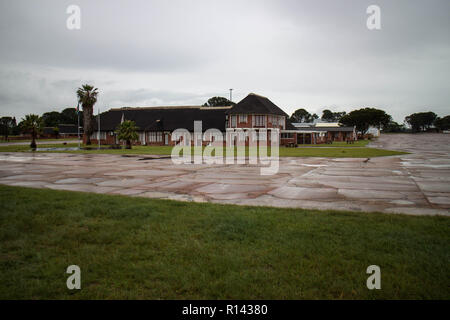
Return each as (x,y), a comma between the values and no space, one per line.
(311,54)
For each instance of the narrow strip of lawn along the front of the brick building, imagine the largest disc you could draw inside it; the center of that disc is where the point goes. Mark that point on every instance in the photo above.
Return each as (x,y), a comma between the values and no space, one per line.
(334,152)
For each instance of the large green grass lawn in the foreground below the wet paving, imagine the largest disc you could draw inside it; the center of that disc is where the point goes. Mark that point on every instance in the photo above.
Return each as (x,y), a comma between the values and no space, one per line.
(137,248)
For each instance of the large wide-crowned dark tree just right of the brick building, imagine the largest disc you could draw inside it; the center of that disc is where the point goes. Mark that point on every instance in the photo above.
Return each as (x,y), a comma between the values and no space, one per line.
(366,117)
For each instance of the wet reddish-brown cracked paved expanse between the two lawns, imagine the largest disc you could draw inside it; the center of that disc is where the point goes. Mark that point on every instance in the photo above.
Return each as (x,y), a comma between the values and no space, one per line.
(417,183)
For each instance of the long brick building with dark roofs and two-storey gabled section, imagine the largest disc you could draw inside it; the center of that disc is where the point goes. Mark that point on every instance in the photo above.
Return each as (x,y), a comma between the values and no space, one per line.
(255,112)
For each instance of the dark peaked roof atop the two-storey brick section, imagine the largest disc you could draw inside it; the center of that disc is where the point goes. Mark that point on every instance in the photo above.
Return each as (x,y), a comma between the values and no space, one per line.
(256,104)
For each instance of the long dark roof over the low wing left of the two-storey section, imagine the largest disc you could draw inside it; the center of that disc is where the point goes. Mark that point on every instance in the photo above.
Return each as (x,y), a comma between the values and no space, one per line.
(164,118)
